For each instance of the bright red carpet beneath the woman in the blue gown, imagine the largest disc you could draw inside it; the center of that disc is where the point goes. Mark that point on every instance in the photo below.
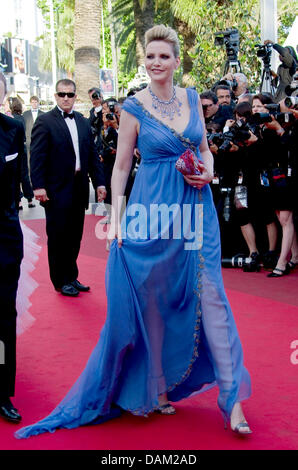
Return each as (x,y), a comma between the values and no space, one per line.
(53,352)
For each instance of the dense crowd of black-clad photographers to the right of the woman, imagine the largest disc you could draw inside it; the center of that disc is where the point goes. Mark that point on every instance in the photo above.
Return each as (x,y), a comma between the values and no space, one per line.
(253,138)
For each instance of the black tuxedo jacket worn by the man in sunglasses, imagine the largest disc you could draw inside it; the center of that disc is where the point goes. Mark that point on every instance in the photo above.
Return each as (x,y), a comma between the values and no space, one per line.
(53,157)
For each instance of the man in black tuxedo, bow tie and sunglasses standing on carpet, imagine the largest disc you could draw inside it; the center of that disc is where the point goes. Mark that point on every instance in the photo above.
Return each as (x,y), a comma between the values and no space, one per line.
(62,156)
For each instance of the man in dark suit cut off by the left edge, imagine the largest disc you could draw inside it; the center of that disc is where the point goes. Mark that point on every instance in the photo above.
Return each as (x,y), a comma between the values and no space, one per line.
(12,137)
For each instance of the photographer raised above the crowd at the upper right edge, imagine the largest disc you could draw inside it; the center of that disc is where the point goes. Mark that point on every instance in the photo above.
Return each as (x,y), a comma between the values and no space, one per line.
(286,69)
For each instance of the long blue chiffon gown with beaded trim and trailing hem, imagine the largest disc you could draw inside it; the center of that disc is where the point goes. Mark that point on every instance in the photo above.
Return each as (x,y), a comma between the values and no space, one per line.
(169,326)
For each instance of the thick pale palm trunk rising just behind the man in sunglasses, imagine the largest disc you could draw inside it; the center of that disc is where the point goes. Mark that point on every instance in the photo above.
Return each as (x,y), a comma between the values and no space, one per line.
(87,45)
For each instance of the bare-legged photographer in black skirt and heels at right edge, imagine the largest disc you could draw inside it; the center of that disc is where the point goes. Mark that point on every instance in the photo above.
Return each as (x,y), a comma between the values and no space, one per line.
(272,136)
